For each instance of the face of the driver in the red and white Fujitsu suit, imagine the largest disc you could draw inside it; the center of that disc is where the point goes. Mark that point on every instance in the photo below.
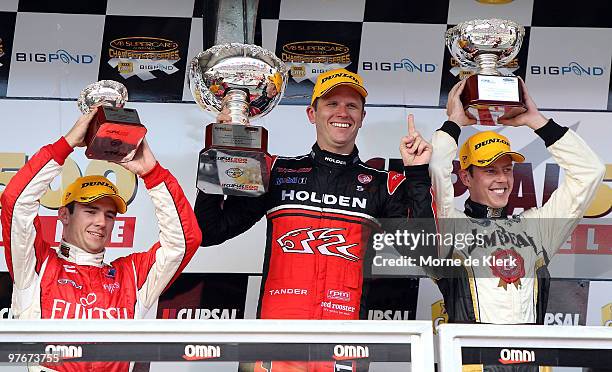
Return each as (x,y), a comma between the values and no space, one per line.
(89,226)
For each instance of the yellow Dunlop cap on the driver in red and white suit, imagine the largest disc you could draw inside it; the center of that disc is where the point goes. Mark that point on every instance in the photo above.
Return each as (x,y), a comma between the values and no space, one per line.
(91,188)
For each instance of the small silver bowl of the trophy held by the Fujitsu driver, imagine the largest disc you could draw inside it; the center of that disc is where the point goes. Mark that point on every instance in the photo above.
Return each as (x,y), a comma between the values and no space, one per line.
(108,92)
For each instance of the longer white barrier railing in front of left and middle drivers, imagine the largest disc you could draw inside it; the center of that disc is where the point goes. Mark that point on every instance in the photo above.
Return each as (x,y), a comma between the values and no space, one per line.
(415,336)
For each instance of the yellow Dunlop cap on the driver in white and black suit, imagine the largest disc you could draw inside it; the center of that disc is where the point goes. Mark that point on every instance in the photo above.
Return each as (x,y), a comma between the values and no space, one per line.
(484,148)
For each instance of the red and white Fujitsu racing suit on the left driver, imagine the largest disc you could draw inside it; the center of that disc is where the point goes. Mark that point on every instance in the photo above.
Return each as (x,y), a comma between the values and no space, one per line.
(69,283)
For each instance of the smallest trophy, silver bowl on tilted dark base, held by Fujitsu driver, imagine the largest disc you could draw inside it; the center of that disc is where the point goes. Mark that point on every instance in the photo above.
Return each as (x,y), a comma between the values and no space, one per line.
(114,133)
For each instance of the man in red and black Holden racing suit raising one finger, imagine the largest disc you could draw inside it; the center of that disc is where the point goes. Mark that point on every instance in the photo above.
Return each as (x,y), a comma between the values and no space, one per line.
(321,209)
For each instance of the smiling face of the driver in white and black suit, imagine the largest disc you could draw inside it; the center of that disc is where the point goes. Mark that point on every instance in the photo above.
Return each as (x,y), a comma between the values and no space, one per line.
(490,185)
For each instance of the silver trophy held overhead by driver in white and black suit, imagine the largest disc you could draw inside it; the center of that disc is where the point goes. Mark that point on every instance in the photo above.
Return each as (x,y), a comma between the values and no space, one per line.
(484,45)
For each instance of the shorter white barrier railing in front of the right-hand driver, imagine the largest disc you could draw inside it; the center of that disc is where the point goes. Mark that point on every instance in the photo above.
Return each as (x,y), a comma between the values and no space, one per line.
(516,343)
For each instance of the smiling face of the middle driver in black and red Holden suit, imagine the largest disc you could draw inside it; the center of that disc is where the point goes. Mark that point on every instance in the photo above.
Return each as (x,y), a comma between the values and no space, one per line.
(337,117)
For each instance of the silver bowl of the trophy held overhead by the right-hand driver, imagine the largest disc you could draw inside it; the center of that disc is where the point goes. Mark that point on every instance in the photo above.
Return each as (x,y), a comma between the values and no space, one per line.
(499,39)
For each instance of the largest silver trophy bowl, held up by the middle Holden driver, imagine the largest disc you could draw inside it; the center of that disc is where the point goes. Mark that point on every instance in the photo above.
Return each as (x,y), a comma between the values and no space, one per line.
(230,68)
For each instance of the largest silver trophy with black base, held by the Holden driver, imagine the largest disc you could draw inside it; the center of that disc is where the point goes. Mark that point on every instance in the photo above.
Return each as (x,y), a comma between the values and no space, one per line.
(247,82)
